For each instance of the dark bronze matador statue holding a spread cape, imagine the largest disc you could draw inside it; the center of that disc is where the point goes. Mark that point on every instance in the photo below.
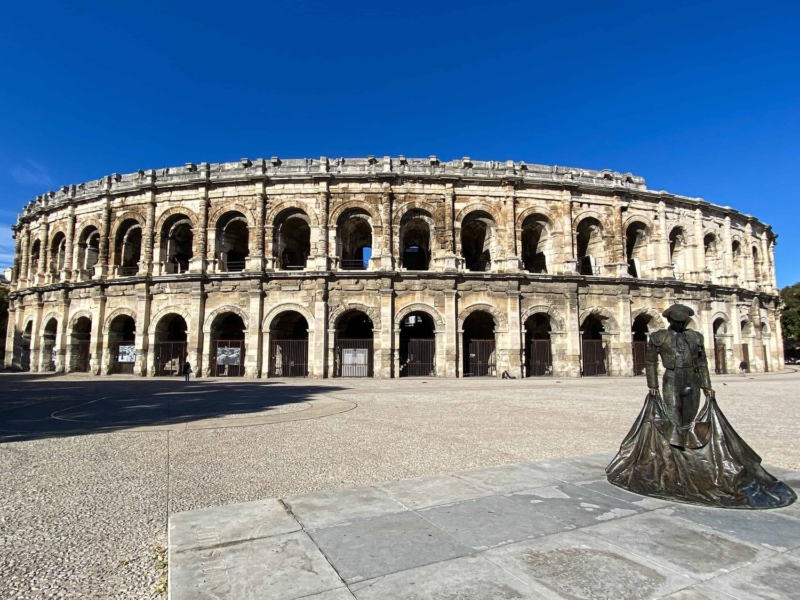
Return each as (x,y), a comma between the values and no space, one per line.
(678,450)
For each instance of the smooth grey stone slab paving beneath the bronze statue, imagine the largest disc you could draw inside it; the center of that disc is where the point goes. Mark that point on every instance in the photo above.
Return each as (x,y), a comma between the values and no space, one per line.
(553,529)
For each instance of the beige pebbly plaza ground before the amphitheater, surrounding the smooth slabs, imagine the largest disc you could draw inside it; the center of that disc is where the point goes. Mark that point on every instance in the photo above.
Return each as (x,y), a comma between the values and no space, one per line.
(82,516)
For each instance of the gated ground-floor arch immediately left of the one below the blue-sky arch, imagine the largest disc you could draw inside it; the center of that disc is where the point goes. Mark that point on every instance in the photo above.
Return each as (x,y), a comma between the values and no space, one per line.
(288,345)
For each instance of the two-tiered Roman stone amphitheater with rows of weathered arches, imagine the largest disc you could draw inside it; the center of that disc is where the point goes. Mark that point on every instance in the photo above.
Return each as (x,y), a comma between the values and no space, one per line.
(381,267)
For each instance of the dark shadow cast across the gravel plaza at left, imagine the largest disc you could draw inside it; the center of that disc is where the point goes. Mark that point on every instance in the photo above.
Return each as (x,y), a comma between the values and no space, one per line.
(34,406)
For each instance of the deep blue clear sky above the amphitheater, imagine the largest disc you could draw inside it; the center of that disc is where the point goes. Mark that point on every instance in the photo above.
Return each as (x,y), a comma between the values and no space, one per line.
(700,98)
